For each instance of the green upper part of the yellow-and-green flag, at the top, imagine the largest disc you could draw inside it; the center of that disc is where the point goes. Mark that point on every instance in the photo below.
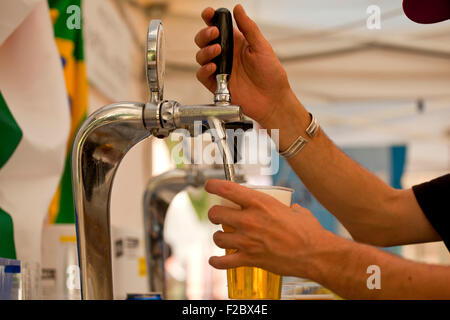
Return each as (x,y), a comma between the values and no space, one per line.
(60,27)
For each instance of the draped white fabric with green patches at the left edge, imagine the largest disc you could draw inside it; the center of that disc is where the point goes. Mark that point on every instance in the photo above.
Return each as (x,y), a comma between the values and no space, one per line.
(34,125)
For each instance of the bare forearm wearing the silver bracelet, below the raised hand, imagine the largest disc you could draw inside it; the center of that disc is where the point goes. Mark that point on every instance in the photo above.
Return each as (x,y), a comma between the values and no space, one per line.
(353,194)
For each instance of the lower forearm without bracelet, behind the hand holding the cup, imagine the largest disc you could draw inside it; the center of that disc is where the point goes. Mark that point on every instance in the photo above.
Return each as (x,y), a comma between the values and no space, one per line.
(342,266)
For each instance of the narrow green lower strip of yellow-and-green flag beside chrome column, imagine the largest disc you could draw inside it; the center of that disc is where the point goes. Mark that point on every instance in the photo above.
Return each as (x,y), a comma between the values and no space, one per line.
(66,212)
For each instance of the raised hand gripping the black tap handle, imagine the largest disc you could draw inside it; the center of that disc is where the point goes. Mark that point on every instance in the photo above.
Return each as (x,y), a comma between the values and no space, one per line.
(258,81)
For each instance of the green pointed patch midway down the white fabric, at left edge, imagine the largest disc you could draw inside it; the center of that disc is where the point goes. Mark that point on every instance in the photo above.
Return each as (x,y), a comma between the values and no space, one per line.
(10,132)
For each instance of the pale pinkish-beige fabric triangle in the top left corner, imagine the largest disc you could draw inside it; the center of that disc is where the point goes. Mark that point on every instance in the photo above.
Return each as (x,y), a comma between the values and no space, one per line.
(12,14)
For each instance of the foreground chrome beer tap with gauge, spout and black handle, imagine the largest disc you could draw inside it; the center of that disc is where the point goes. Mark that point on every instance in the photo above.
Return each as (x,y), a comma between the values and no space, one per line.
(107,134)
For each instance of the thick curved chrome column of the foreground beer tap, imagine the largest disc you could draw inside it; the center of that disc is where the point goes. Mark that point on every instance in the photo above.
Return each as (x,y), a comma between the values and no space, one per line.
(99,147)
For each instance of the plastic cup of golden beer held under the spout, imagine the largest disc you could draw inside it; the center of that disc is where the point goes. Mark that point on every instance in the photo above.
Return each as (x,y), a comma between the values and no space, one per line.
(252,282)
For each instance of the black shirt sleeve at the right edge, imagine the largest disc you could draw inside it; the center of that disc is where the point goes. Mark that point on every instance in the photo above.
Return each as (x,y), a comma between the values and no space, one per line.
(434,200)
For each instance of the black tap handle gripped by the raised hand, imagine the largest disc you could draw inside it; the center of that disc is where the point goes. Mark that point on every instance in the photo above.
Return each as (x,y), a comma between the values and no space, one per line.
(223,21)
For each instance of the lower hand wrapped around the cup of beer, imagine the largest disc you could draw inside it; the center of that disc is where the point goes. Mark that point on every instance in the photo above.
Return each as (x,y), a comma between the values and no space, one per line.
(267,234)
